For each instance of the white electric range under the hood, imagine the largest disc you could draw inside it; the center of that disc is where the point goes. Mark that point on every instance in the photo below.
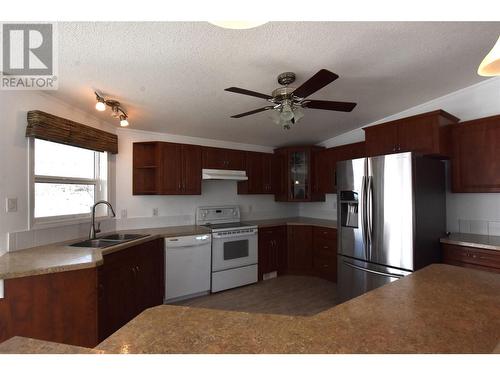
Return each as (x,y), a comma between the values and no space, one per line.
(234,247)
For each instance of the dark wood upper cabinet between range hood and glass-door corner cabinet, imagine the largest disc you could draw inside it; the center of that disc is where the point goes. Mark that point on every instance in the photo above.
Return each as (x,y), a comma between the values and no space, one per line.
(264,174)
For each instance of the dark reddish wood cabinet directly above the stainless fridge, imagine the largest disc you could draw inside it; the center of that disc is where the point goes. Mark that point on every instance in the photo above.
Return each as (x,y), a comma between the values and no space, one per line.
(426,133)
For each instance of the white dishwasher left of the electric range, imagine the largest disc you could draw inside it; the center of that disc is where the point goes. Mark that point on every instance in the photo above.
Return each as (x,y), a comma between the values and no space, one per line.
(187,266)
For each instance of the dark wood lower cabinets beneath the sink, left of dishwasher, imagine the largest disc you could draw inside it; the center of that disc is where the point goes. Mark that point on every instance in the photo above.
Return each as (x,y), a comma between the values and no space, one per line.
(83,307)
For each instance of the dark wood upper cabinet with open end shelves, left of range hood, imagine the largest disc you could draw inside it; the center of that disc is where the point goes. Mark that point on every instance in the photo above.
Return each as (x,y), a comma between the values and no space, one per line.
(166,168)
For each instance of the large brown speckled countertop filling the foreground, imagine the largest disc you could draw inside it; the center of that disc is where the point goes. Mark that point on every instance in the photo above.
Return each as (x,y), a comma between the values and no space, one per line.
(439,309)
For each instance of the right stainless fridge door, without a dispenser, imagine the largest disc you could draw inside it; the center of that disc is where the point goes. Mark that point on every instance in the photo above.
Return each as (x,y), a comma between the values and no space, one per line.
(389,207)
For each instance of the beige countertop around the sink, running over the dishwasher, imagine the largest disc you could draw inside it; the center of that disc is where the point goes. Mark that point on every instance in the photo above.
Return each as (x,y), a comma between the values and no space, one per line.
(60,257)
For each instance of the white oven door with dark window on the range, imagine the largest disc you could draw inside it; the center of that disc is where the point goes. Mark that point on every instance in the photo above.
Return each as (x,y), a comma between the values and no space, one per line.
(233,250)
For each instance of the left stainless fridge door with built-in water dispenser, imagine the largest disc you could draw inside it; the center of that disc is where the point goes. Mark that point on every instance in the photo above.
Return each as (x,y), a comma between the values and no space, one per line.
(350,208)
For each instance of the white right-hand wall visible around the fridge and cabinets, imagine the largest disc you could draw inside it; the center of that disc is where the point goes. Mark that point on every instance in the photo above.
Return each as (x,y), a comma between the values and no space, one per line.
(470,213)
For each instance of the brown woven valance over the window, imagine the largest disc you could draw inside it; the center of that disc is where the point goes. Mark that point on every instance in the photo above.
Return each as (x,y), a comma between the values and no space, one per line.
(52,128)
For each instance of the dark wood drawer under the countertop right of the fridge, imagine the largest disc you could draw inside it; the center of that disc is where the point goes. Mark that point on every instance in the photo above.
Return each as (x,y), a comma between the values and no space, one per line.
(471,255)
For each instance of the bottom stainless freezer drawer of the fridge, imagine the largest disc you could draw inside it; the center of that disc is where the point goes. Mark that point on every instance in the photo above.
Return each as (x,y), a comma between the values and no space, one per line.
(356,277)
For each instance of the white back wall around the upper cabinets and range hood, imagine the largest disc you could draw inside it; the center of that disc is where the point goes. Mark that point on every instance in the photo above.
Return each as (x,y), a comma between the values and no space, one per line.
(179,210)
